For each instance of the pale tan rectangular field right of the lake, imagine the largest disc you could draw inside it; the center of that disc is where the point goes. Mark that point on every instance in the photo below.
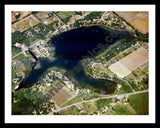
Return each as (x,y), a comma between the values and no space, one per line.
(126,65)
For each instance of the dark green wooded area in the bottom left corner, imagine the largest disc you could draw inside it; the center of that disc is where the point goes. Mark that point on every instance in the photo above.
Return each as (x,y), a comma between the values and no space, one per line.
(27,100)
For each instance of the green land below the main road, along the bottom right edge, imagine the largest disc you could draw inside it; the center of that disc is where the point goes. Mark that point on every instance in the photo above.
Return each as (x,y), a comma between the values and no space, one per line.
(111,106)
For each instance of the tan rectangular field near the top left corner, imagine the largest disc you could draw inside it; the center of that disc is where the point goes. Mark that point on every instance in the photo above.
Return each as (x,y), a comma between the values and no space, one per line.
(25,23)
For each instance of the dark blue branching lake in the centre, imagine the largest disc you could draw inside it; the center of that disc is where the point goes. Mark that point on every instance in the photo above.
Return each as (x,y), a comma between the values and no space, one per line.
(73,46)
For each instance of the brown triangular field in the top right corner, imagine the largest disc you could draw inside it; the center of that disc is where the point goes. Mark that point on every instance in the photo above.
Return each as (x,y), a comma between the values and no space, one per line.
(139,20)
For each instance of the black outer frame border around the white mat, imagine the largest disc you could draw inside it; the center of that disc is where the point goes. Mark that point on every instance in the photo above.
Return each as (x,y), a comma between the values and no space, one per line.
(154,125)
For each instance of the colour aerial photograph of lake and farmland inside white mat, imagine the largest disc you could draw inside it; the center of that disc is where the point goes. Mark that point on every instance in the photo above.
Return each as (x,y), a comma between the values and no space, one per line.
(80,63)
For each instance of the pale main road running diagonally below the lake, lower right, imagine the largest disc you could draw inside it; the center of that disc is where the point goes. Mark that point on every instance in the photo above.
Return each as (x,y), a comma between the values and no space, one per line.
(103,97)
